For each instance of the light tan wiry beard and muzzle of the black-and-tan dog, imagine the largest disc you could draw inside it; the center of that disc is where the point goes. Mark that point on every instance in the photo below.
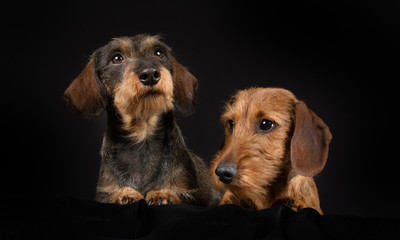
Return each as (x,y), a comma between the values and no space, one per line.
(140,106)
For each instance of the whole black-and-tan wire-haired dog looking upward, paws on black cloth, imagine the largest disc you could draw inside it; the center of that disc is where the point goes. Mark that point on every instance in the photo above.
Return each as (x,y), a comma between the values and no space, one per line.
(144,156)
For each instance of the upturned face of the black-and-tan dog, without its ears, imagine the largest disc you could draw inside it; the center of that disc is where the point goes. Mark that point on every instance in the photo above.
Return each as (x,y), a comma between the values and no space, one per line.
(136,73)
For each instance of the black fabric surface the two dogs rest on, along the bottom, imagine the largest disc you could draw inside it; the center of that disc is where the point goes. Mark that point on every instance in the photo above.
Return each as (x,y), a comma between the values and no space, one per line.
(71,218)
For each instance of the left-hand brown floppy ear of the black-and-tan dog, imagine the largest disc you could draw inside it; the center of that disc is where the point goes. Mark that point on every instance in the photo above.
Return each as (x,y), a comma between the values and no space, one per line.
(84,95)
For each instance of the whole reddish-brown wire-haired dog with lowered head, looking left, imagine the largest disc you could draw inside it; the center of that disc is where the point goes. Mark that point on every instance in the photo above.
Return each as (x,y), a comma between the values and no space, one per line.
(274,145)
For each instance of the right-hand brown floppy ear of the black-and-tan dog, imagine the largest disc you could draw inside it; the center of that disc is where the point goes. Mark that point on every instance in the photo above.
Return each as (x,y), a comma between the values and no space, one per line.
(185,88)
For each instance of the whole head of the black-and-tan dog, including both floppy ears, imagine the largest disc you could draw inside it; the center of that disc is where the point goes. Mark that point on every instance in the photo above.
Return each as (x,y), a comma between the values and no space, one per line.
(136,75)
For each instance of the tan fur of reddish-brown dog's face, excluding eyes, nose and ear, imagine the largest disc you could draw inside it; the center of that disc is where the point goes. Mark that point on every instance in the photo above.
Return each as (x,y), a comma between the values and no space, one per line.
(259,157)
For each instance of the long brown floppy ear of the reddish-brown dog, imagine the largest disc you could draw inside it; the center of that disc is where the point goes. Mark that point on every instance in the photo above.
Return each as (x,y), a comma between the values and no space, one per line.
(310,142)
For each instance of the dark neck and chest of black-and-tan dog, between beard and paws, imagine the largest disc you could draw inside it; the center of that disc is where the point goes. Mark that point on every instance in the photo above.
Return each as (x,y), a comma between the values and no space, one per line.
(132,162)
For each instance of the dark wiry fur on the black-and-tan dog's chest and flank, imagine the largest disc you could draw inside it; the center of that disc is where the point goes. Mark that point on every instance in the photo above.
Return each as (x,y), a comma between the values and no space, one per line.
(145,166)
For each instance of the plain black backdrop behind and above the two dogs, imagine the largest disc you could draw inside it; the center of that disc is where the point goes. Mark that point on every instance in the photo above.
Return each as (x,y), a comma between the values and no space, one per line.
(340,57)
